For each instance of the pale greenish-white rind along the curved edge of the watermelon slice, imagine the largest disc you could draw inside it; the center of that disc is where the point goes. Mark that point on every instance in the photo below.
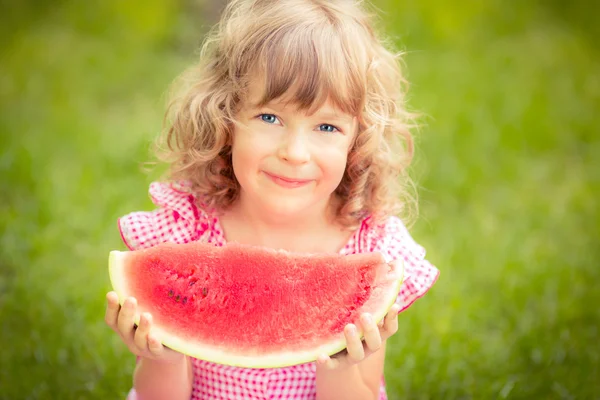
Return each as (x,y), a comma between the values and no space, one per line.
(277,360)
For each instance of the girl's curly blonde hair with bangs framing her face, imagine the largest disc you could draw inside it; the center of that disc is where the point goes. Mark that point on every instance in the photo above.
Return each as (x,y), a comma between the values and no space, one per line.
(320,49)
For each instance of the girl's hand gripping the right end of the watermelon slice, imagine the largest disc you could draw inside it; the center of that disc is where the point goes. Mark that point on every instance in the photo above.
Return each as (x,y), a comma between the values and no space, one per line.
(374,336)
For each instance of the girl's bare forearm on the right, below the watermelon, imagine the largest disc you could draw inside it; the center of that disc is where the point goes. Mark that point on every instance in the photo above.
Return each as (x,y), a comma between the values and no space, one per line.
(360,381)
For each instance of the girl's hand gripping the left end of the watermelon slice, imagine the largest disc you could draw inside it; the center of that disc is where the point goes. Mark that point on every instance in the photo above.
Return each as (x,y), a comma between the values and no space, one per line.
(139,340)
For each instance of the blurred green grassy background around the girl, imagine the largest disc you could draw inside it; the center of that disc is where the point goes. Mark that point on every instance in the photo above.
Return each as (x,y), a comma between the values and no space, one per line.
(508,172)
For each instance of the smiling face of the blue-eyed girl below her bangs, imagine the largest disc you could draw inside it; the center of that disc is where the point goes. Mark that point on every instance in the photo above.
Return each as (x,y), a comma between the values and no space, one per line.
(289,163)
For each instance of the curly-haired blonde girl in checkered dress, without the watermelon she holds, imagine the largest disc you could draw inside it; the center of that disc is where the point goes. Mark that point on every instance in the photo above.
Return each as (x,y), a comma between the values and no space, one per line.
(291,133)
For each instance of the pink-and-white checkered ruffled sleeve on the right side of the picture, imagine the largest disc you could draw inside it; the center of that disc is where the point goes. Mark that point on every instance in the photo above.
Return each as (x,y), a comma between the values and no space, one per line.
(392,240)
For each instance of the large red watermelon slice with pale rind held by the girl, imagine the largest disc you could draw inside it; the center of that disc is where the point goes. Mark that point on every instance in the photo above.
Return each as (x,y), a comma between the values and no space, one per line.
(253,307)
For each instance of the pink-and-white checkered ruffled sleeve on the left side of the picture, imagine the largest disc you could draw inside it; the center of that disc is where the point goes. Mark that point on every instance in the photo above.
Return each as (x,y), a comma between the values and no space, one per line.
(177,219)
